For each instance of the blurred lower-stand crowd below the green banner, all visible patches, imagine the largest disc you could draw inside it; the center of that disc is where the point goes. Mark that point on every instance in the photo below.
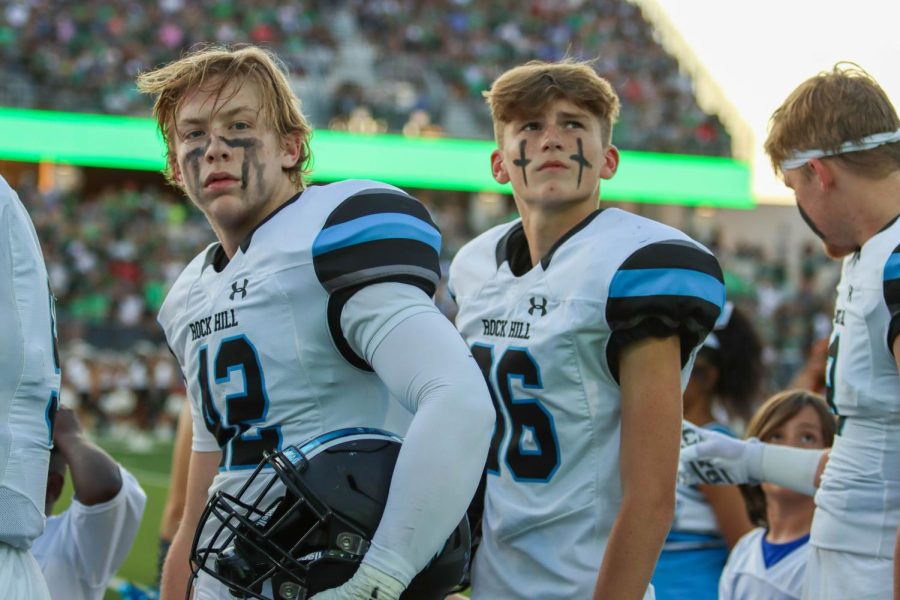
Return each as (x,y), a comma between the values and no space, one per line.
(113,255)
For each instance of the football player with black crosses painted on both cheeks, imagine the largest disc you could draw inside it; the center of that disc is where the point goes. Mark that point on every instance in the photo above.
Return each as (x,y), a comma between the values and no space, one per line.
(585,323)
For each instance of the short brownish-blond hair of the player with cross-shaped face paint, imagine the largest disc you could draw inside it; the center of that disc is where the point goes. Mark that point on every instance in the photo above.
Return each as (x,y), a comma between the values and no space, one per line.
(527,89)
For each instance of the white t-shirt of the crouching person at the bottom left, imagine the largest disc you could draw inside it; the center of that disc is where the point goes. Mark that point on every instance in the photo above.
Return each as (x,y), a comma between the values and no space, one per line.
(83,547)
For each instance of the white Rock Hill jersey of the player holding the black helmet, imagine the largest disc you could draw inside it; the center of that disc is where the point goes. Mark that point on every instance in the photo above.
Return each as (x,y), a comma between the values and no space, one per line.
(259,339)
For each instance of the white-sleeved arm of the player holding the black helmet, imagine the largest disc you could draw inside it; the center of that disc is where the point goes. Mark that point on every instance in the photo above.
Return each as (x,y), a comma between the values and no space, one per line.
(444,451)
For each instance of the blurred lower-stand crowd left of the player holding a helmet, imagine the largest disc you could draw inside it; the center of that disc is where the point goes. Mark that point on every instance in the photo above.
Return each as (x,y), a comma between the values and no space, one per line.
(111,258)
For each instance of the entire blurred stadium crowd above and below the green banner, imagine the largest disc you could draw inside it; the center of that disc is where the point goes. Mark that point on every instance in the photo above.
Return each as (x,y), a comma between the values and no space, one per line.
(411,66)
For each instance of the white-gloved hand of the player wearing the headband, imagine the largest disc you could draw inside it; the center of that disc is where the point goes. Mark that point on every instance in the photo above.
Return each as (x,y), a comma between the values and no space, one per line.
(711,457)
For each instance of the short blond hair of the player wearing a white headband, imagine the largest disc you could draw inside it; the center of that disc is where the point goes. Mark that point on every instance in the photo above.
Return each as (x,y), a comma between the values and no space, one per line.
(842,105)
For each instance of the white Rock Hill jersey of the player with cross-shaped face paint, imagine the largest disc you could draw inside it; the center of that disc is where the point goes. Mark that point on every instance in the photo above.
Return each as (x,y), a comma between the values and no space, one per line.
(547,339)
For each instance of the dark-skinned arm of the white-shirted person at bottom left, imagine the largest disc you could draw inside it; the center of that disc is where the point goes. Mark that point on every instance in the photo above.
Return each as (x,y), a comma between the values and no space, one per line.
(95,475)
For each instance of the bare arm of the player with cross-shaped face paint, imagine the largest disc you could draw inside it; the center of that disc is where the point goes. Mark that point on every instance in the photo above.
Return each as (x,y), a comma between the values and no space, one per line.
(651,432)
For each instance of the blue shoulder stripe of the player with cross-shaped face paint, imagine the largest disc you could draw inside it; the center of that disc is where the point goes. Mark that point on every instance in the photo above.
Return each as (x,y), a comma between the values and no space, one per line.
(667,282)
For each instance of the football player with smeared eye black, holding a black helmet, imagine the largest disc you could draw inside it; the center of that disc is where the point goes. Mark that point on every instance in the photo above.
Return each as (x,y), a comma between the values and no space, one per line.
(311,313)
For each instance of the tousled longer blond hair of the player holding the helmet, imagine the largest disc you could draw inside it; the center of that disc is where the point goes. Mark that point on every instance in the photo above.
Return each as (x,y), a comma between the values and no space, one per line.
(218,66)
